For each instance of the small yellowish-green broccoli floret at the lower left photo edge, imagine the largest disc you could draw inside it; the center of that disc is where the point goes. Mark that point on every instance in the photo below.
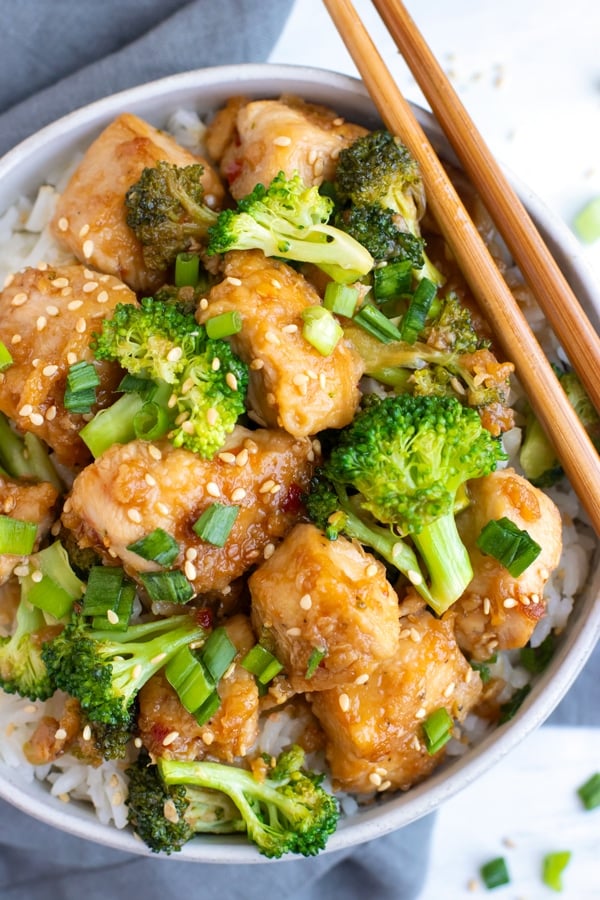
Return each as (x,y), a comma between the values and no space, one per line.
(22,669)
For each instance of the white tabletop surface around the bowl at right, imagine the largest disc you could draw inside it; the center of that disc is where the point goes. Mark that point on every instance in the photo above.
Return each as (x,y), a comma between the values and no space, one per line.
(528,71)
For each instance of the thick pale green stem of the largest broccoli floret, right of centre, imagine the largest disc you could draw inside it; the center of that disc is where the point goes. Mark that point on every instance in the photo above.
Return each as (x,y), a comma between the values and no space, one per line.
(446,559)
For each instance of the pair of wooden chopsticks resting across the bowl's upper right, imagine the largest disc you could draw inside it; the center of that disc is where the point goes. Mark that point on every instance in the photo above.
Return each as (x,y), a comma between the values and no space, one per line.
(576,334)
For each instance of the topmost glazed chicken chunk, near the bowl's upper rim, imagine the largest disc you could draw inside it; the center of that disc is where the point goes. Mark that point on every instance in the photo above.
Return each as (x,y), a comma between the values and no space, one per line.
(255,140)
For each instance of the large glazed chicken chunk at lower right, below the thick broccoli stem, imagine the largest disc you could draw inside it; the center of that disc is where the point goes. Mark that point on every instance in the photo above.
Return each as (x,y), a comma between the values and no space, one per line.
(374,731)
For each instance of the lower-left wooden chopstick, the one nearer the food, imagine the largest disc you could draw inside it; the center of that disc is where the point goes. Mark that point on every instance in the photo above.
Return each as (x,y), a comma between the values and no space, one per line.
(573,446)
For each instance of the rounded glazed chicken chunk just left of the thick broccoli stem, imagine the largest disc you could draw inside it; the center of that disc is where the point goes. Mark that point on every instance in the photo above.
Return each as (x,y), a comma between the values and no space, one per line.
(325,598)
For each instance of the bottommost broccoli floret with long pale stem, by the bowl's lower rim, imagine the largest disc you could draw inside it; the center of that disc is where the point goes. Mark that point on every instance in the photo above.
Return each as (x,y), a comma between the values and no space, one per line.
(287,812)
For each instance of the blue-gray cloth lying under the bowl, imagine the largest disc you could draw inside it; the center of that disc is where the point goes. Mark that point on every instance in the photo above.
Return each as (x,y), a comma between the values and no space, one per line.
(57,55)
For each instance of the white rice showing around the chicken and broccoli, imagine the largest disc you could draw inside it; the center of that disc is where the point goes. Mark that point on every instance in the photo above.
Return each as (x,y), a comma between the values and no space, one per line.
(25,241)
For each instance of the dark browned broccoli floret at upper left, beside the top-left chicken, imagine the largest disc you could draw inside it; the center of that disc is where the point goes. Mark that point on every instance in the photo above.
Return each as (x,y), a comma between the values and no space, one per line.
(166,210)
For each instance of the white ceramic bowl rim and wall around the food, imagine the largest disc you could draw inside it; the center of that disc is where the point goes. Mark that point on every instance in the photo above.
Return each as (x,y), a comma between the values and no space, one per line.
(21,172)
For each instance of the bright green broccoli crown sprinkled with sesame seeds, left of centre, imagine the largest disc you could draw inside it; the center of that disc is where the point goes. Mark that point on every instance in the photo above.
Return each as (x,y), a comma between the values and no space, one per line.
(157,341)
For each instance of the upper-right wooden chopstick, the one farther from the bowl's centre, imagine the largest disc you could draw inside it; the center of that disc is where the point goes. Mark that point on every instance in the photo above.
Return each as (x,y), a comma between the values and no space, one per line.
(539,268)
